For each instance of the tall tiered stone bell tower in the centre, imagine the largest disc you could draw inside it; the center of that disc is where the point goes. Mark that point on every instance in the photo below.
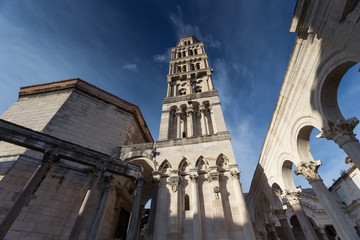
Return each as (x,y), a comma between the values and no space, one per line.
(199,193)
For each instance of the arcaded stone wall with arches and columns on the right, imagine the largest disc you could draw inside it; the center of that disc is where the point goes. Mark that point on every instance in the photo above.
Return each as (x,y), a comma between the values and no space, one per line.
(327,45)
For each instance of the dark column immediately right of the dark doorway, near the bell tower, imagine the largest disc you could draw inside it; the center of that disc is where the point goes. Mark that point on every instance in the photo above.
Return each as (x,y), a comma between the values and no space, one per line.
(135,212)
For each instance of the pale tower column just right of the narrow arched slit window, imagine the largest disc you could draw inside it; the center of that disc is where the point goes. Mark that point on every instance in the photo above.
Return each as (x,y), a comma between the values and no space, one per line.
(197,229)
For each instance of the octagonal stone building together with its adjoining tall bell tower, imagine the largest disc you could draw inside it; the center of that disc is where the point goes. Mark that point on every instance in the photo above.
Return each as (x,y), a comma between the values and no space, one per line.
(80,163)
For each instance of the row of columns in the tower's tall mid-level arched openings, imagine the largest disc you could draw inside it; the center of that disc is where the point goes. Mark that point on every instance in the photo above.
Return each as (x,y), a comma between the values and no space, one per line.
(191,121)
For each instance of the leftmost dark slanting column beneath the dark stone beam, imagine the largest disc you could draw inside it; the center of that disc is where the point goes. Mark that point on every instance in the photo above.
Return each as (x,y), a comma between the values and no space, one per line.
(48,159)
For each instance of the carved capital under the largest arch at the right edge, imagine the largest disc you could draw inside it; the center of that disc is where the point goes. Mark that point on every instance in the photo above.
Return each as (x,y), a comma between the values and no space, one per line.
(340,132)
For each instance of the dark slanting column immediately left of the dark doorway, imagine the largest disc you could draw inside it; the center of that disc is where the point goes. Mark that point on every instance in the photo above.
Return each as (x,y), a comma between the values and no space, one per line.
(100,213)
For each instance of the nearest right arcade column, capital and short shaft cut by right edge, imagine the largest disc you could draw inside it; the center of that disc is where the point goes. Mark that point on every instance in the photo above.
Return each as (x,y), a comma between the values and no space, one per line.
(341,132)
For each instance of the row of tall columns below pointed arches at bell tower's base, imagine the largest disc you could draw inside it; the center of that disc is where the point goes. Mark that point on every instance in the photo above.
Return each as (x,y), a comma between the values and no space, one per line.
(196,180)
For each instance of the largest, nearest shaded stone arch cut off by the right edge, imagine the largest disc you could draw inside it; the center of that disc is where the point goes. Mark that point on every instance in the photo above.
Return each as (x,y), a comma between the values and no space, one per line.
(330,74)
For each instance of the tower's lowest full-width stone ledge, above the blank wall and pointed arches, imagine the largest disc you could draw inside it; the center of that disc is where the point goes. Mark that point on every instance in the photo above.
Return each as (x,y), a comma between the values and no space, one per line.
(220,136)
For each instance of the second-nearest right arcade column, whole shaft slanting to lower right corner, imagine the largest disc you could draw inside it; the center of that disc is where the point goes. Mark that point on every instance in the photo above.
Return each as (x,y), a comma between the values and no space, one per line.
(341,224)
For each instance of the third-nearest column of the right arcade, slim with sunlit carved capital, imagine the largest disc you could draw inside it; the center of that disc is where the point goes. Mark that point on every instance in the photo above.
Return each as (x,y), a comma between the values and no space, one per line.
(293,199)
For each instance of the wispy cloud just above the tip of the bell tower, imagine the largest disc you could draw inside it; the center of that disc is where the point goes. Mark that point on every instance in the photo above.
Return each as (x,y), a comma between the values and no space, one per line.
(184,29)
